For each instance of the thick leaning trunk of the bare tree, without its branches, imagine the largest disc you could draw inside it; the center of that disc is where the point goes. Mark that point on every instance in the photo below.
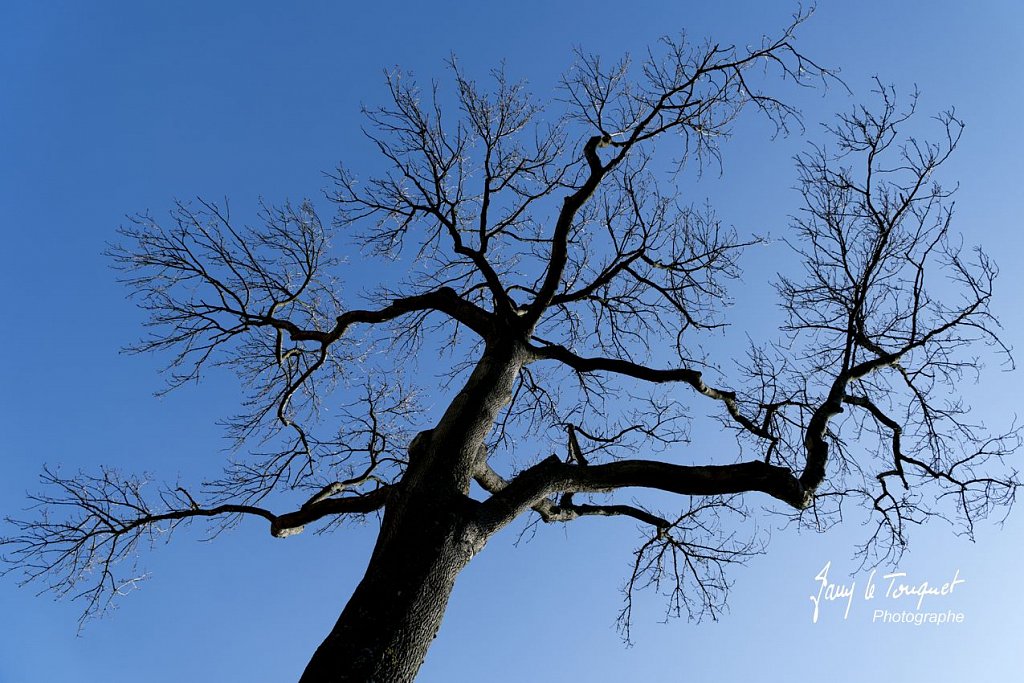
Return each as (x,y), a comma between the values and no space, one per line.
(429,535)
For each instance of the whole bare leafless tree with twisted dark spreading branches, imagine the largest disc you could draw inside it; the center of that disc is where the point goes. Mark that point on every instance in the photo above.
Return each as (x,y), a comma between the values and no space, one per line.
(554,261)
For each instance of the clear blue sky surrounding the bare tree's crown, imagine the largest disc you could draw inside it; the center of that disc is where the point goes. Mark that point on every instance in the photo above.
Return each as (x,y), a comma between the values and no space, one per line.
(109,109)
